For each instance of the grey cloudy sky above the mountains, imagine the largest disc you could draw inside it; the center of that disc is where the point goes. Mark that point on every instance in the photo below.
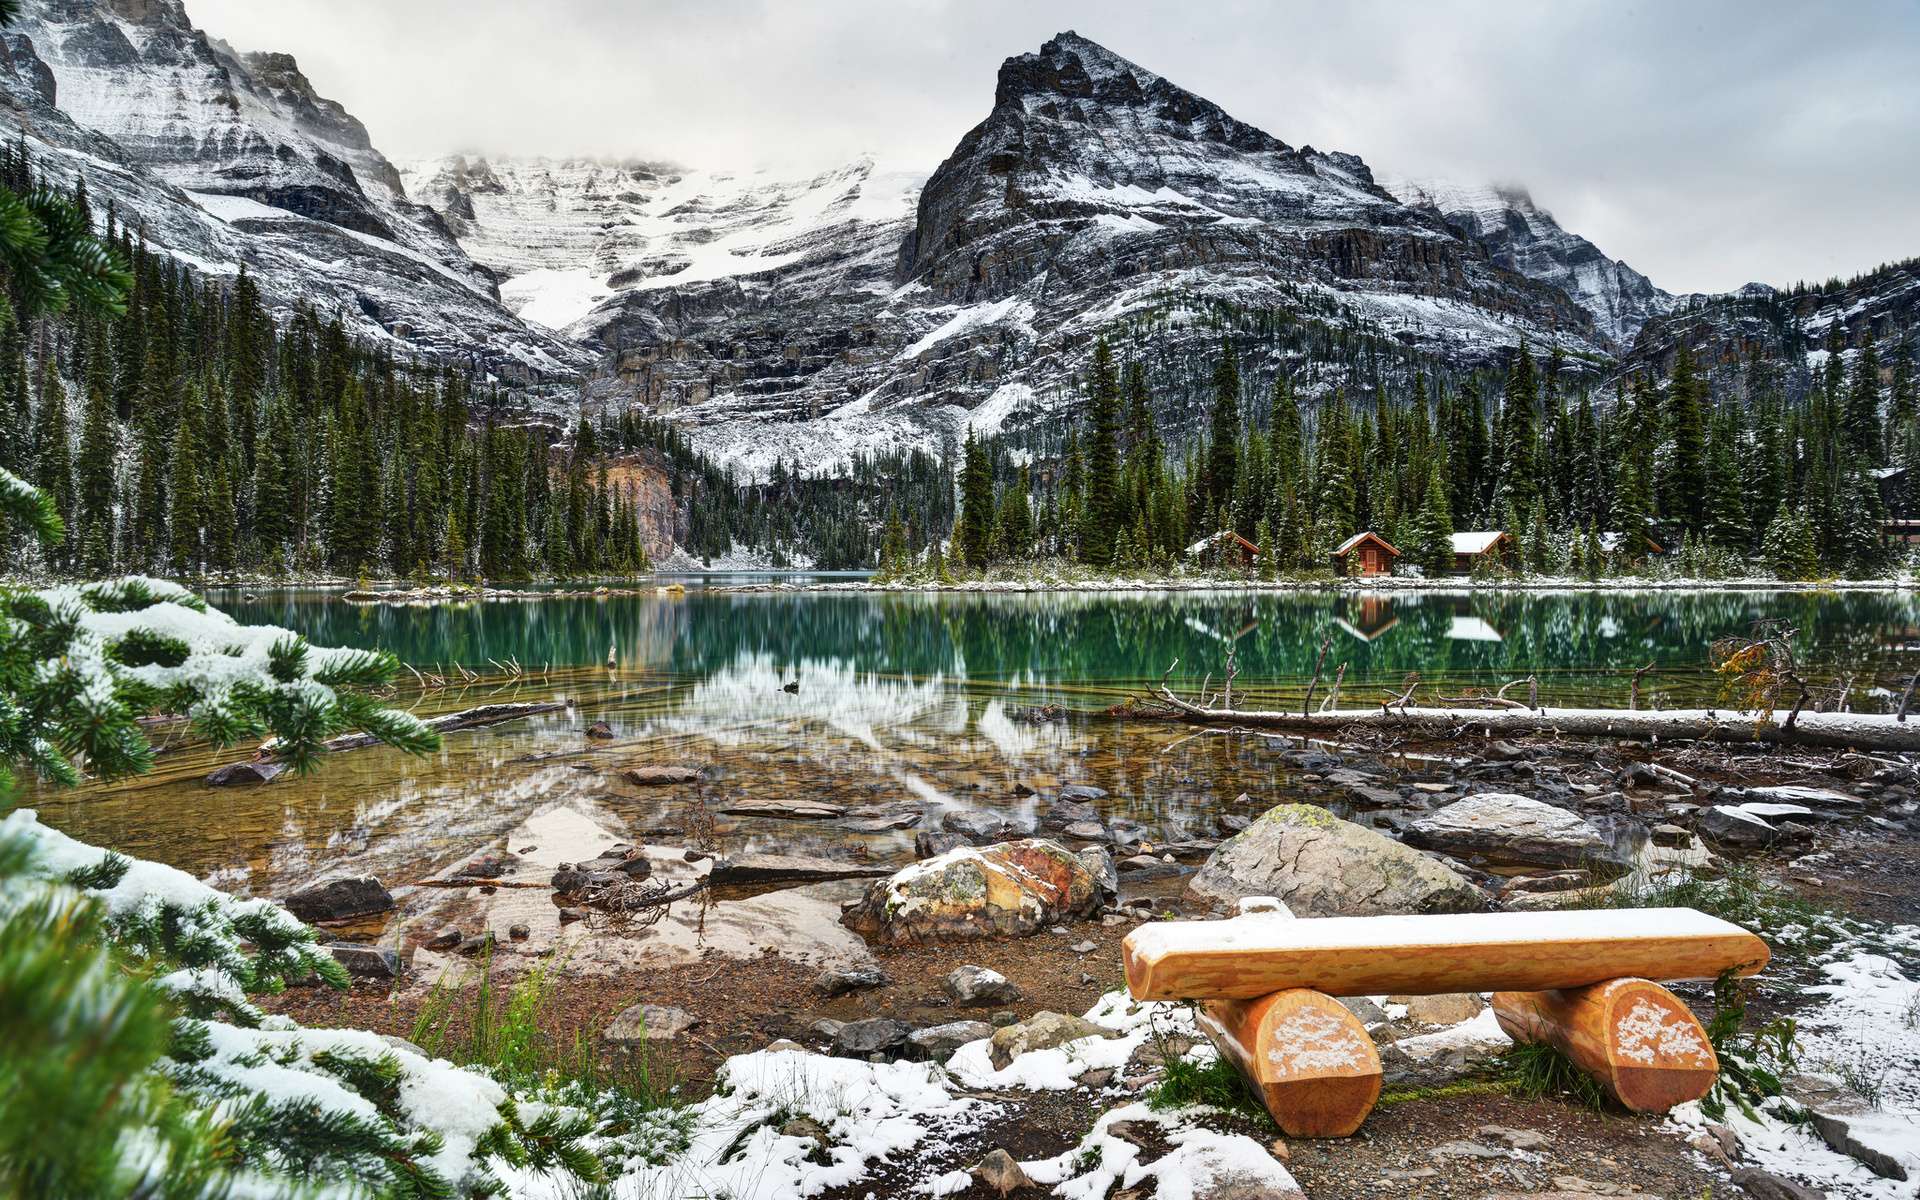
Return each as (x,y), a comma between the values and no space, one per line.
(1706,145)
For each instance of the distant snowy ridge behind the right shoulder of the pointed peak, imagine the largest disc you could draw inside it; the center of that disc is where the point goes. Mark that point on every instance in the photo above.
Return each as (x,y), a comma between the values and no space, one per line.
(1527,239)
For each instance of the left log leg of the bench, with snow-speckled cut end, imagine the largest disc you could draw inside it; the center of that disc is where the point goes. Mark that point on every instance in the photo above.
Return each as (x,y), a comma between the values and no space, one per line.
(1307,1057)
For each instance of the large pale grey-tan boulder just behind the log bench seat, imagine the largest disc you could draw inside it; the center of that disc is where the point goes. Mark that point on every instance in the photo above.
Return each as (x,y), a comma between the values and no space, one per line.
(1320,865)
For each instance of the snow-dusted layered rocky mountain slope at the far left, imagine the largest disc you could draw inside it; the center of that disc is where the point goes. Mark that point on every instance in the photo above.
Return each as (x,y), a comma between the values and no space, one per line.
(226,160)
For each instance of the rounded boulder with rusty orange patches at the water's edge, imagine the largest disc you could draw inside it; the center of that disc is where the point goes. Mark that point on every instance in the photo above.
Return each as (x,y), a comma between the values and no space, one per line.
(1011,890)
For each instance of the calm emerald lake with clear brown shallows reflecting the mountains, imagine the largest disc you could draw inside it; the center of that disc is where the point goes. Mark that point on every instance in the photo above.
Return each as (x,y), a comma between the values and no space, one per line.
(901,698)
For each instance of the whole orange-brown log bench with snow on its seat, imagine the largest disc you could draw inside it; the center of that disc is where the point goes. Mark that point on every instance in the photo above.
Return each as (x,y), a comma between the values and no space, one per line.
(1583,982)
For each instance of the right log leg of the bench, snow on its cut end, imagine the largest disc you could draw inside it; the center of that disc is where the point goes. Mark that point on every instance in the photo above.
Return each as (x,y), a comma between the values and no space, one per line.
(1639,1040)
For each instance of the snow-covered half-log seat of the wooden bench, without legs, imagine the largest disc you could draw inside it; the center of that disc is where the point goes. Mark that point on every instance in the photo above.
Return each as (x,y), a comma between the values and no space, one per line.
(1251,957)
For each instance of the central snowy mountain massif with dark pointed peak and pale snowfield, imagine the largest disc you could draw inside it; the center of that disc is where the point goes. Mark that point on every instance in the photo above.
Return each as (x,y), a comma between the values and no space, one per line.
(855,310)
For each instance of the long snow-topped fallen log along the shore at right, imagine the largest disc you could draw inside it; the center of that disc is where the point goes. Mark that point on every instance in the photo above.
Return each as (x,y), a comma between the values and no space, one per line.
(1858,731)
